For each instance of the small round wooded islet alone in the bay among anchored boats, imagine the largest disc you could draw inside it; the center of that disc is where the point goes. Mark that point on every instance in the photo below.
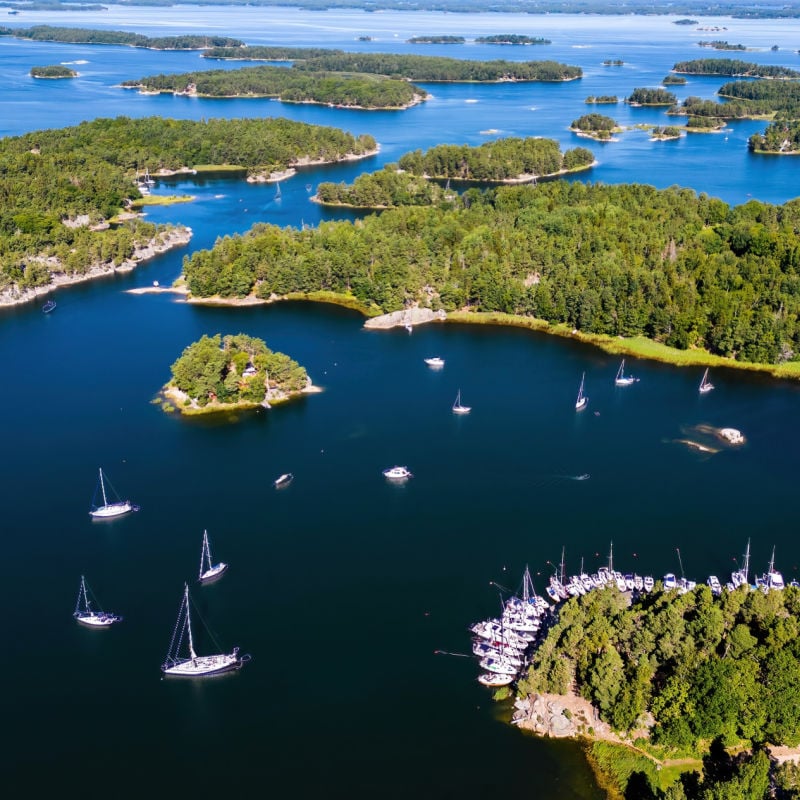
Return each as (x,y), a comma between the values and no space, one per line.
(232,373)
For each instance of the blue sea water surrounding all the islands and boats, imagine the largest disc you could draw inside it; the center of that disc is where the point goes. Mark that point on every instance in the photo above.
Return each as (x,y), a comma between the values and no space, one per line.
(343,587)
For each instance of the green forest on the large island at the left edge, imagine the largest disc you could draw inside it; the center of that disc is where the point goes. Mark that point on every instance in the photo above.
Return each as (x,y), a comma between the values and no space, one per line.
(49,180)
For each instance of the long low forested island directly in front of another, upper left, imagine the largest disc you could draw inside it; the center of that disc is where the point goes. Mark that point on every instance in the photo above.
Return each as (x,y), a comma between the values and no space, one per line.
(289,86)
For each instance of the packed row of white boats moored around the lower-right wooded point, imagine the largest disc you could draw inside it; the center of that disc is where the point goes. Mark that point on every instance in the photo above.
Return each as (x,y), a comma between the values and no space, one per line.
(504,644)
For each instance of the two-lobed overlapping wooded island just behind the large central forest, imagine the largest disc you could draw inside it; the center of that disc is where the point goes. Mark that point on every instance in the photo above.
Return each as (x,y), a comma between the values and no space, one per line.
(510,160)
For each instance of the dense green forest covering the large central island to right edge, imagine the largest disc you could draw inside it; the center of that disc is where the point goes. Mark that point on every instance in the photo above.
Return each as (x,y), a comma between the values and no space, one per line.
(688,271)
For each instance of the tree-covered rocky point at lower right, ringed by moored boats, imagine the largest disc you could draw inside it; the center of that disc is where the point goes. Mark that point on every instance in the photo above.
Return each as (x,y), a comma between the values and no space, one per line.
(680,683)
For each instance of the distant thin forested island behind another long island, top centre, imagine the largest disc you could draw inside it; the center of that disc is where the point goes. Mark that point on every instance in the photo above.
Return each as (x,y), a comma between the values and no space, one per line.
(439,69)
